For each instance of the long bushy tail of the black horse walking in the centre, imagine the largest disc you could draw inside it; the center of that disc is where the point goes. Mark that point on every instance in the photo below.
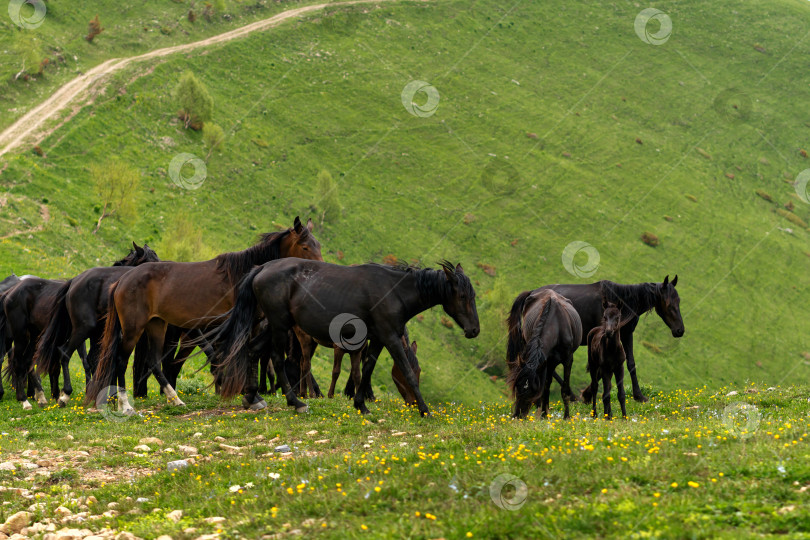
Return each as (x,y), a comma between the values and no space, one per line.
(231,355)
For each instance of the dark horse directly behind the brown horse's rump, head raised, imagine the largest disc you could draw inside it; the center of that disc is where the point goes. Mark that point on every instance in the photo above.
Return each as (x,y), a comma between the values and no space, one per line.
(77,315)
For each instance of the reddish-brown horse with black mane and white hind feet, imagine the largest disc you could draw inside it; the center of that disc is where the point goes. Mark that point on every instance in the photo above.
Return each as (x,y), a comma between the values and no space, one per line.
(188,295)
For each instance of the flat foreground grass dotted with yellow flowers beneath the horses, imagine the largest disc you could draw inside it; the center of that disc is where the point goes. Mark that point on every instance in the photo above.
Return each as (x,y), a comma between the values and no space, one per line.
(681,466)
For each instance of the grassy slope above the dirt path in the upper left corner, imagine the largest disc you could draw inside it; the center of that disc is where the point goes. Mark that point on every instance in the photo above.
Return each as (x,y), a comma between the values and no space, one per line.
(129,29)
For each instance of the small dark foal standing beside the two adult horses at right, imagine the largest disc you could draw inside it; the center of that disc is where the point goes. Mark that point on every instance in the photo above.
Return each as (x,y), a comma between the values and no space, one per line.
(606,359)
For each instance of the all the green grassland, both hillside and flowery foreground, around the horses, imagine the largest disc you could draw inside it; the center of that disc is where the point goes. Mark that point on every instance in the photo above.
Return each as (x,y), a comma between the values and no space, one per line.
(555,123)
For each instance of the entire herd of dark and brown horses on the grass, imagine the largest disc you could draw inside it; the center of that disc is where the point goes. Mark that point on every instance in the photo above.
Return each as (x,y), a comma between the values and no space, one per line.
(261,312)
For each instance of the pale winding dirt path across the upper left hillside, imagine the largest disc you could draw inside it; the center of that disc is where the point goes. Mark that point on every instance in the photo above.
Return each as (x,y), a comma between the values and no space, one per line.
(30,126)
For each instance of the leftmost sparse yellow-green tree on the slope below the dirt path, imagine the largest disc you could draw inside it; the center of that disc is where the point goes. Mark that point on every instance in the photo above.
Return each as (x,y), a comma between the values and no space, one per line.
(117,185)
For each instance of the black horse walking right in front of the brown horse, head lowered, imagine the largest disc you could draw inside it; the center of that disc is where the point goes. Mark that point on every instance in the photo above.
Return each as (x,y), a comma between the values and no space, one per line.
(324,300)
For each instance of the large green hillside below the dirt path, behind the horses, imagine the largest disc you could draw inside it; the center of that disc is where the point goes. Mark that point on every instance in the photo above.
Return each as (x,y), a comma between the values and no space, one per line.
(325,94)
